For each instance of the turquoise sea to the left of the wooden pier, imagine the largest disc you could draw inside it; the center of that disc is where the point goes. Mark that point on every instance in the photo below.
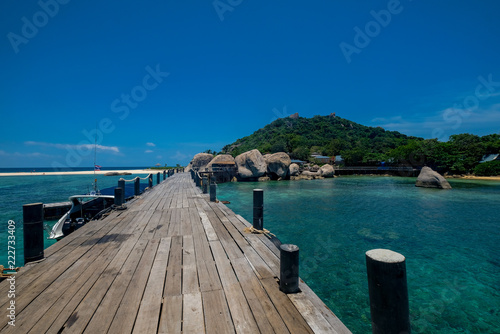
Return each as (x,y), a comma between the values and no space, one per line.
(18,190)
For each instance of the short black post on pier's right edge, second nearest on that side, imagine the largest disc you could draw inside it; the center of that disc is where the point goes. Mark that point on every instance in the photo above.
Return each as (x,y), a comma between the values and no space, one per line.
(289,268)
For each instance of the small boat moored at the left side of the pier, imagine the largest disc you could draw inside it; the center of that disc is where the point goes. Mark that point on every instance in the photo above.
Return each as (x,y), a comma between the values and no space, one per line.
(83,209)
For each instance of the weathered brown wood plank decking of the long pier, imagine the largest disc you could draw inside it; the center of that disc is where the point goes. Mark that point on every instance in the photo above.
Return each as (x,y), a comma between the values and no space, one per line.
(172,262)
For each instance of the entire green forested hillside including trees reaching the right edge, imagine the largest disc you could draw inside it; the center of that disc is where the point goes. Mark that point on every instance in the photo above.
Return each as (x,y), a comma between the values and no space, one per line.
(364,145)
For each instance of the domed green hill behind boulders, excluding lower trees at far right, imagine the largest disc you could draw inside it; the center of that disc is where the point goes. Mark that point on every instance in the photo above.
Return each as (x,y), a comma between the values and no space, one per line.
(326,135)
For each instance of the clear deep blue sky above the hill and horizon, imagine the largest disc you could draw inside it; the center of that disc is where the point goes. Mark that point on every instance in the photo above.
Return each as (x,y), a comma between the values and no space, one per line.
(163,80)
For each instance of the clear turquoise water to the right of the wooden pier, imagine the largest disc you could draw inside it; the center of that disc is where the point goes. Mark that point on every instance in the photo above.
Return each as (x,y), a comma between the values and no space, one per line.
(450,239)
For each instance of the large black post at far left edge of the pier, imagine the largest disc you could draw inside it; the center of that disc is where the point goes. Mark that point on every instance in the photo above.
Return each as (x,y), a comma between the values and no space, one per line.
(33,232)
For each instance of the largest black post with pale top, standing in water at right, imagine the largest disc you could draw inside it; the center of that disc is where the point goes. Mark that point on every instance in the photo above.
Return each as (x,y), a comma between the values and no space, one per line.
(388,291)
